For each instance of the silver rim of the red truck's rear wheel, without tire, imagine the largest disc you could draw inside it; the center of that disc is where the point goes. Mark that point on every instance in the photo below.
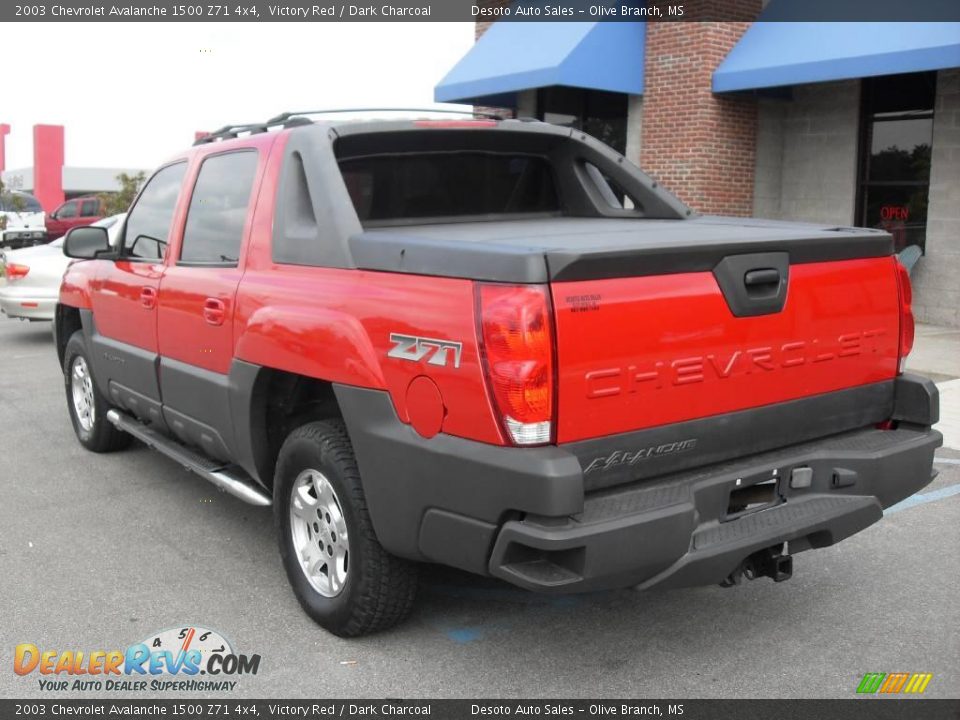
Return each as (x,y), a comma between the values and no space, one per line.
(319,533)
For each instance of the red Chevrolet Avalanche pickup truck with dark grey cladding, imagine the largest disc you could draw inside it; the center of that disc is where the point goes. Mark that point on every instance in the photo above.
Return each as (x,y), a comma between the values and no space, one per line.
(499,346)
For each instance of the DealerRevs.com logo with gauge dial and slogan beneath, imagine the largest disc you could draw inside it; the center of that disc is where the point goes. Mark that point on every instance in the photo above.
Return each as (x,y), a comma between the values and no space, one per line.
(170,660)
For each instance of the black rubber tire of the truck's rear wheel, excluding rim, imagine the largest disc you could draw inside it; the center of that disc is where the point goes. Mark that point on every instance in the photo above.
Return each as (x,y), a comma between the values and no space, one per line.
(379,589)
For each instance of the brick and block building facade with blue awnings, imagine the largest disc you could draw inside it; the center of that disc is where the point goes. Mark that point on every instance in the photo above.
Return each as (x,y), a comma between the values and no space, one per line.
(849,123)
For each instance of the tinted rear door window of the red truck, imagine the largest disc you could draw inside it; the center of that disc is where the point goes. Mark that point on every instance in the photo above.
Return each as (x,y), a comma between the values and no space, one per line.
(218,209)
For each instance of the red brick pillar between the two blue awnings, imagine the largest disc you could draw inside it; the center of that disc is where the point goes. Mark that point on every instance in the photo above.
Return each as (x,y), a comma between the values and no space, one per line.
(699,145)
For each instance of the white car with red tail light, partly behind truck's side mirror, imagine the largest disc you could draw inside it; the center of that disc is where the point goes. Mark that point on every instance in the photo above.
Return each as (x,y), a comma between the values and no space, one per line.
(33,275)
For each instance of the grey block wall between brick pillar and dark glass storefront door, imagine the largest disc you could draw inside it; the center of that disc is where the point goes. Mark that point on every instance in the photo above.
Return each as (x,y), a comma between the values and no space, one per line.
(806,154)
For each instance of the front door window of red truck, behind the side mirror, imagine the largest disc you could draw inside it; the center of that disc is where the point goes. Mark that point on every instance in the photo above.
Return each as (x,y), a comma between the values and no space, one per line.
(148,223)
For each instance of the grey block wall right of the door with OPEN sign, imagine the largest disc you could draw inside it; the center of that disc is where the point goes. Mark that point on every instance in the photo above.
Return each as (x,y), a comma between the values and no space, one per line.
(936,278)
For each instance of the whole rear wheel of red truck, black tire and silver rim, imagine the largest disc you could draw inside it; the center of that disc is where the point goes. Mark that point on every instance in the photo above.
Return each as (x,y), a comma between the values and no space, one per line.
(340,573)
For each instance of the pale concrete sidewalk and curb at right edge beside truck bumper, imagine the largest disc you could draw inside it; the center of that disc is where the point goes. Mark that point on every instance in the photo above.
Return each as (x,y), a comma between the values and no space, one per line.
(936,354)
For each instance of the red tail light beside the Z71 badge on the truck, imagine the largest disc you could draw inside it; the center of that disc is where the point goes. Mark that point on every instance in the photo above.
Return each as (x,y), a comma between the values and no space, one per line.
(516,339)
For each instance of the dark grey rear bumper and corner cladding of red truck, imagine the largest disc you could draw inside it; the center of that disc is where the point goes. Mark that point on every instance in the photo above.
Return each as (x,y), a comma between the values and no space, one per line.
(524,515)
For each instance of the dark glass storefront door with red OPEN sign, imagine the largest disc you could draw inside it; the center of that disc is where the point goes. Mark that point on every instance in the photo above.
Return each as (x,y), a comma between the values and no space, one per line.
(897,134)
